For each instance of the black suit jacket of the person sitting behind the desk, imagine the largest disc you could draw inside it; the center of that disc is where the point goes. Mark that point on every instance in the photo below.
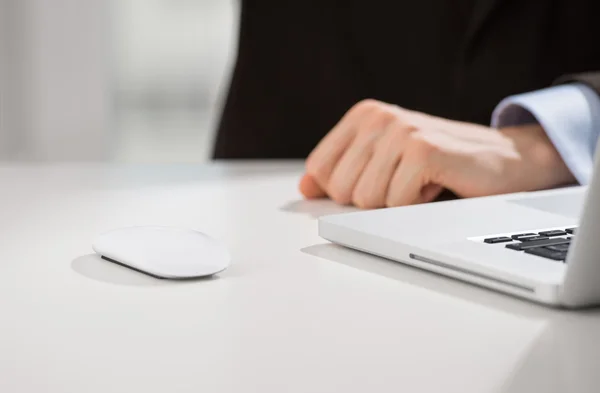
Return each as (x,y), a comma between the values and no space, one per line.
(302,64)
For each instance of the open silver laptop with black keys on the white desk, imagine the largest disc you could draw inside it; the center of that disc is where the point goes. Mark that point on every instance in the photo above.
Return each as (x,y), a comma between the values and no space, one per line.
(543,246)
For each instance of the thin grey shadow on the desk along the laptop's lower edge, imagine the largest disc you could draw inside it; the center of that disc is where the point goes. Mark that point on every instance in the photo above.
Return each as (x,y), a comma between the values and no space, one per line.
(436,283)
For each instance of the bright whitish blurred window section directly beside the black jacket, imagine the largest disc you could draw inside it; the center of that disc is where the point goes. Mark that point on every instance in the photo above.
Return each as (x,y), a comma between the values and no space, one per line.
(173,60)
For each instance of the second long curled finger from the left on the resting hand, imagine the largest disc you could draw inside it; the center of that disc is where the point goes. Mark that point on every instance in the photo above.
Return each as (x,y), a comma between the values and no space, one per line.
(352,164)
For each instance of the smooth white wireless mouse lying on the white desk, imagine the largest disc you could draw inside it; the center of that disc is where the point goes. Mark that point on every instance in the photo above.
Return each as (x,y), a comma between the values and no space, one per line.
(164,252)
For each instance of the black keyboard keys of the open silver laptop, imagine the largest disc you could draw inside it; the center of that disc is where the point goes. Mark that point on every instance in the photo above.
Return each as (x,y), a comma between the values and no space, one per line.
(552,244)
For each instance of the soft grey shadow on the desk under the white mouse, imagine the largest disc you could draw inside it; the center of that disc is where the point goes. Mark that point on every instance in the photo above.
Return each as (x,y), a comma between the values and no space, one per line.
(93,267)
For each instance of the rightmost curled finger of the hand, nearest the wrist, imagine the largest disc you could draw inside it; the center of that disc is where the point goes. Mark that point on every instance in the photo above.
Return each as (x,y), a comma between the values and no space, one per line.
(415,171)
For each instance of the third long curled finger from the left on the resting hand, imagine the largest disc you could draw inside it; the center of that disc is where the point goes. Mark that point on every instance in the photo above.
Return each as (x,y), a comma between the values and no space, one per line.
(372,187)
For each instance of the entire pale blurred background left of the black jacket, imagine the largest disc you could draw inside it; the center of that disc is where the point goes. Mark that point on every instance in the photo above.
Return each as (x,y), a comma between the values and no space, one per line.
(113,80)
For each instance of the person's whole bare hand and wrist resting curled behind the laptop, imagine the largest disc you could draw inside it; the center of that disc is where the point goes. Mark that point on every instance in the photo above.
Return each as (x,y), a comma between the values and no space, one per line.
(381,155)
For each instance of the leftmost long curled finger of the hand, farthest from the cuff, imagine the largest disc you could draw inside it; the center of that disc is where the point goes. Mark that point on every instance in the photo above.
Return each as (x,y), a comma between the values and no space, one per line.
(323,159)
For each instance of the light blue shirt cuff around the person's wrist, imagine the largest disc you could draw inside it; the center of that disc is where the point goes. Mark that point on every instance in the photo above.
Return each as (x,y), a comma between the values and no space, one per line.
(570,115)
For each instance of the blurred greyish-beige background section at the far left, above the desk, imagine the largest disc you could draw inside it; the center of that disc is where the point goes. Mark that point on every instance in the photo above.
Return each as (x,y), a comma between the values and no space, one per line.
(55,84)
